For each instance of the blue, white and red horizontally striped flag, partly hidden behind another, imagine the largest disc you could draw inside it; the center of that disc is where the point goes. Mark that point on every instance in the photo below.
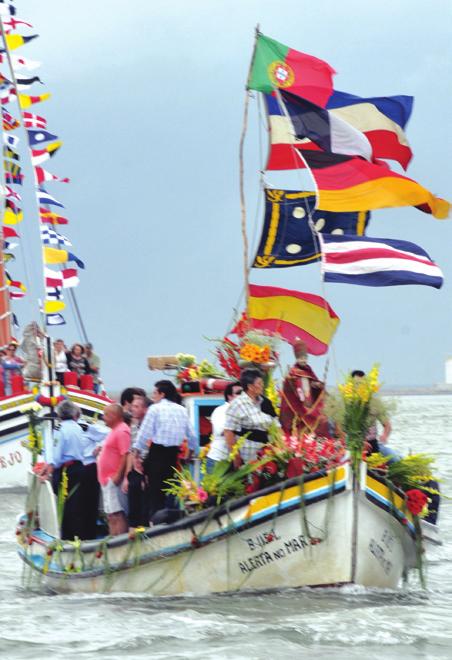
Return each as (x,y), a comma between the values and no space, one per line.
(380,119)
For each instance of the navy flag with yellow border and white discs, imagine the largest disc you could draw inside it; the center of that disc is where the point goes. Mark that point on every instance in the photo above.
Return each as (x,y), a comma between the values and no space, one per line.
(287,238)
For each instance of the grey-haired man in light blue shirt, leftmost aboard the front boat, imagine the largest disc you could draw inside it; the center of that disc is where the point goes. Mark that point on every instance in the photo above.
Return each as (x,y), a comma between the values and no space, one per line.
(65,461)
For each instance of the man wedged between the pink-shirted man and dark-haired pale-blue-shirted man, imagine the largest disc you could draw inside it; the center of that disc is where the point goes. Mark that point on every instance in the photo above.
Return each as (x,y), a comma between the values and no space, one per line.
(134,482)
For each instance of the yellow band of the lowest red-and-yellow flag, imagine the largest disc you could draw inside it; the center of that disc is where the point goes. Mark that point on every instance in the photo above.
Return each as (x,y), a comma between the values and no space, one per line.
(312,318)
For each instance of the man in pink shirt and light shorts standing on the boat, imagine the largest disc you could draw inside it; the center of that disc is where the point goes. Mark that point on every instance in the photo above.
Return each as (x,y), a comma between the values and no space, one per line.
(111,466)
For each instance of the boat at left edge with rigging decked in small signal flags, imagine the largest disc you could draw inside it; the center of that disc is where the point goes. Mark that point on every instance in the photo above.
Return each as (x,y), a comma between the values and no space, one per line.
(34,385)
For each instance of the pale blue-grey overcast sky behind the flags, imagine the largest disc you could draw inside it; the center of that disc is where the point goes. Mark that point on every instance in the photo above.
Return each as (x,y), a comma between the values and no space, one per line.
(148,99)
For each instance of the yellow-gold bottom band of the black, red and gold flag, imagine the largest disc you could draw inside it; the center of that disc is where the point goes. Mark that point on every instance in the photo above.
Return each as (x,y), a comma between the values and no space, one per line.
(382,193)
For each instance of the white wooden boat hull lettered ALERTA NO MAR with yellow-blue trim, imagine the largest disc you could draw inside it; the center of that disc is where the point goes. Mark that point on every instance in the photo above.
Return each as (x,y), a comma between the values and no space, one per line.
(330,529)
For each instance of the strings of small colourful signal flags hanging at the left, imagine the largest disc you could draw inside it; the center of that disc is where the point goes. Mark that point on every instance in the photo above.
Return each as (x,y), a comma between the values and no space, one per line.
(42,146)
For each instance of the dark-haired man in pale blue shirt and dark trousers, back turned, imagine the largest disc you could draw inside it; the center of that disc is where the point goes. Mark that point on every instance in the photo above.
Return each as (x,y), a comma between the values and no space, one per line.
(165,426)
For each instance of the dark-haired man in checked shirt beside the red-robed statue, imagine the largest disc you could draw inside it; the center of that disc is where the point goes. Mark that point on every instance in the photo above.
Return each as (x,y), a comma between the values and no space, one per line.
(245,416)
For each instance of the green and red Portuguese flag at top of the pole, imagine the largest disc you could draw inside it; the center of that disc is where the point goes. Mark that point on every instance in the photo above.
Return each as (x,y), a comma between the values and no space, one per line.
(275,65)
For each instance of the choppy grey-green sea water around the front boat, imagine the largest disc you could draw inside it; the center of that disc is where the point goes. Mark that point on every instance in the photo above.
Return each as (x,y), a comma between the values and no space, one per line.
(346,623)
